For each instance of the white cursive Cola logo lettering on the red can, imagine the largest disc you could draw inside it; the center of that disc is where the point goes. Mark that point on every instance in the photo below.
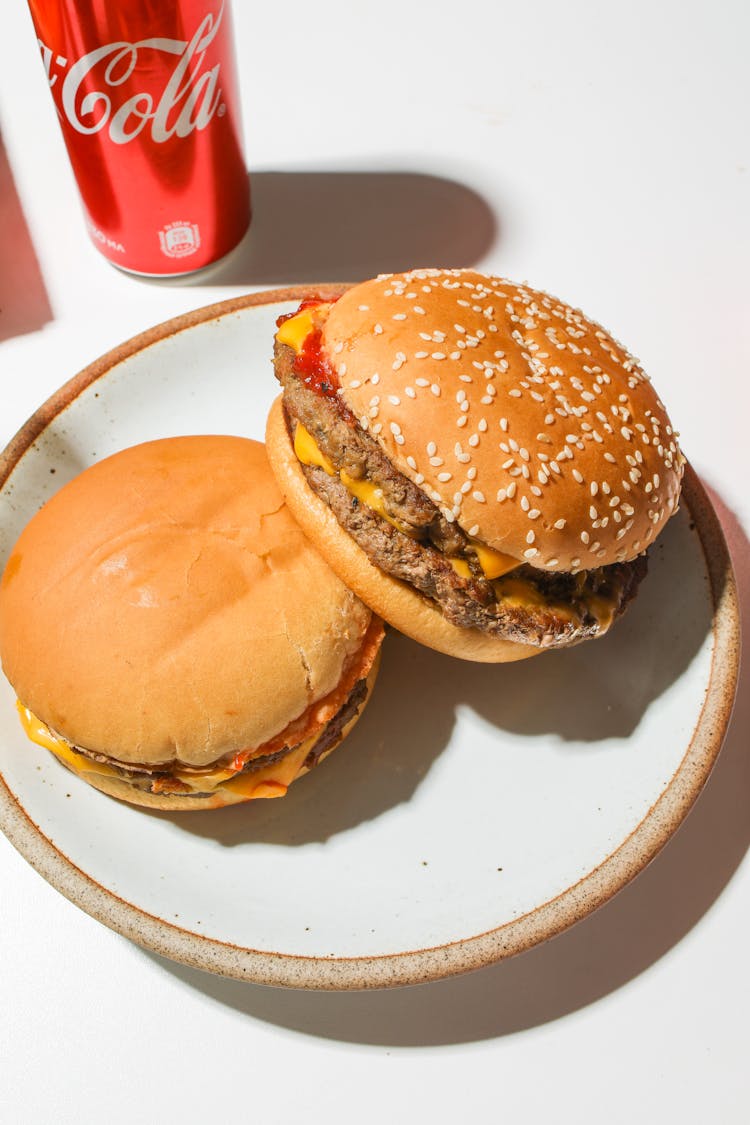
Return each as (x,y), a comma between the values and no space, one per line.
(189,101)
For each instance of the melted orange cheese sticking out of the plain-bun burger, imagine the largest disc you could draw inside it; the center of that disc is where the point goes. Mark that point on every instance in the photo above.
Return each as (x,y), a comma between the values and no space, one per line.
(267,782)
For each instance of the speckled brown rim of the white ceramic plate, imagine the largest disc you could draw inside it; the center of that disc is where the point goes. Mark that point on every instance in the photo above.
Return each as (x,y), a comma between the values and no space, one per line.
(417,966)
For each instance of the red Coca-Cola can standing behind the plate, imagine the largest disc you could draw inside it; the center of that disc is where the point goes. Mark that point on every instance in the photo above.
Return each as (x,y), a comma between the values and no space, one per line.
(148,101)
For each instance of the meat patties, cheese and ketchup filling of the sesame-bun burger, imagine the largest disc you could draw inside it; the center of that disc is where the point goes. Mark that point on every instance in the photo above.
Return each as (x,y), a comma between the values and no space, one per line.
(406,535)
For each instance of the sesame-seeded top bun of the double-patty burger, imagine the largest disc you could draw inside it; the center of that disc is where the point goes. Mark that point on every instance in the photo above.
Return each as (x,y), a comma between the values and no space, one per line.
(520,418)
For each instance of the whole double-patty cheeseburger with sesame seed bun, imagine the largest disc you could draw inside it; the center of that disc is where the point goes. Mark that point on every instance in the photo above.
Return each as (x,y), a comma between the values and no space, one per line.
(481,463)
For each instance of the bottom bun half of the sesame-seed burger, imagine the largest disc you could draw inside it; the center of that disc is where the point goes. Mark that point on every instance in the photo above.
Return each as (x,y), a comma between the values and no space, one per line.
(393,600)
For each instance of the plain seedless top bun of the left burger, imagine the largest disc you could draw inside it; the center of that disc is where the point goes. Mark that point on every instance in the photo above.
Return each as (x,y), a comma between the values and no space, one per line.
(165,607)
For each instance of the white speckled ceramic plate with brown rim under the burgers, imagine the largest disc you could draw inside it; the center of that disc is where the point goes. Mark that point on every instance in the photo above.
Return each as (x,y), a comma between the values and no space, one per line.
(476,809)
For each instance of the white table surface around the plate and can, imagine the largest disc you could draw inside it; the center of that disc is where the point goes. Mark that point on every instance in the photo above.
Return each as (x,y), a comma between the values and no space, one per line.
(602,152)
